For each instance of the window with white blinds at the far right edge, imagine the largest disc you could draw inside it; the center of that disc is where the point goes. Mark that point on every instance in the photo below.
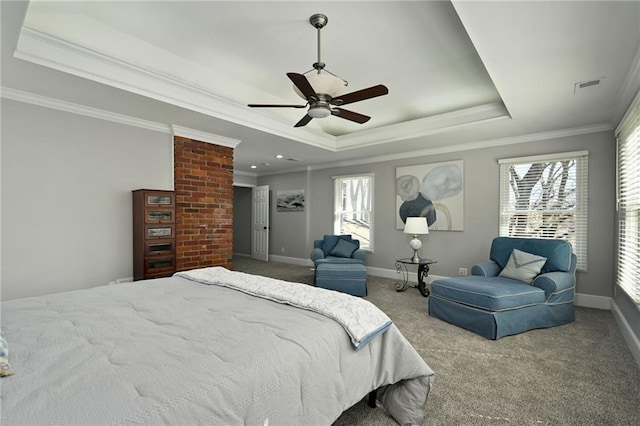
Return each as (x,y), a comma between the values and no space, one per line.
(628,182)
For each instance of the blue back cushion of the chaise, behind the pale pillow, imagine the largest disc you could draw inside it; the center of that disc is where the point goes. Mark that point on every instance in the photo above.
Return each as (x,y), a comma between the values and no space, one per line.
(557,252)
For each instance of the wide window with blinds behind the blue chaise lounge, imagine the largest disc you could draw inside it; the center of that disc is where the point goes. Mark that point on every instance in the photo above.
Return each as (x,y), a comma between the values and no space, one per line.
(546,197)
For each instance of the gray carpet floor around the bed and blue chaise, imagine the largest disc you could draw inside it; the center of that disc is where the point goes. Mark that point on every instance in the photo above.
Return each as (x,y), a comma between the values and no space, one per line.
(576,374)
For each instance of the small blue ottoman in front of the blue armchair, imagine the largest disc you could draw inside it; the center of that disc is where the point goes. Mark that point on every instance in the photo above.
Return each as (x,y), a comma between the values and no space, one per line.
(348,278)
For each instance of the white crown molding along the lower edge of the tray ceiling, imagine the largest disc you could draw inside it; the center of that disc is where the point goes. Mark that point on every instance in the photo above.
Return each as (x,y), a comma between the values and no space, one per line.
(56,53)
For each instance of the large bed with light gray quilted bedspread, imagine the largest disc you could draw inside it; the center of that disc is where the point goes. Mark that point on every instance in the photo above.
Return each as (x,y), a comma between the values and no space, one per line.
(183,350)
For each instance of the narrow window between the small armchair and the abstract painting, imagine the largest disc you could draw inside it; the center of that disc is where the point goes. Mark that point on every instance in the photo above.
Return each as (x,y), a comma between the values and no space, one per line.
(353,205)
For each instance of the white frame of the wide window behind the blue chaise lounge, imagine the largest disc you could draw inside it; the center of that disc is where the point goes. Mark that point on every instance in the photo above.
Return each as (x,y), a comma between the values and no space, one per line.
(579,210)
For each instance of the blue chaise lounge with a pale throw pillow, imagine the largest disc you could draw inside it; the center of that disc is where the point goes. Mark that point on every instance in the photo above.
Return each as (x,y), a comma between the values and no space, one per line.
(529,283)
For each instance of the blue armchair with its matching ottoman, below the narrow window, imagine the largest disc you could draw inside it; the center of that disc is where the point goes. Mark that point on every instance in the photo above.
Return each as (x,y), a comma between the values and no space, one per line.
(339,264)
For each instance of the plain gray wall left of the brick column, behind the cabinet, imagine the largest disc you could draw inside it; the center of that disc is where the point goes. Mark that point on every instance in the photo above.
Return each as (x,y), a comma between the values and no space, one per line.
(66,197)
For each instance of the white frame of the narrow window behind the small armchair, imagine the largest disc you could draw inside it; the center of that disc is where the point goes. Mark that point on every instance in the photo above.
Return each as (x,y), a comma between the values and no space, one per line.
(339,207)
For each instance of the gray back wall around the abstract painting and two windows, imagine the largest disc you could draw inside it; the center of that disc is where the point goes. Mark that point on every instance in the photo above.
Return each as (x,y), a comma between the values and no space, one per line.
(457,249)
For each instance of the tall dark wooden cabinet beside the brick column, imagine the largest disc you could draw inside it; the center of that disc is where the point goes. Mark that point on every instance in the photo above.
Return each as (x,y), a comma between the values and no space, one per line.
(154,234)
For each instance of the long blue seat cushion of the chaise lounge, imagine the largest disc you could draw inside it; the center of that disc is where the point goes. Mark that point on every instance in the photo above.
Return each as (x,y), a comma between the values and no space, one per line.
(489,293)
